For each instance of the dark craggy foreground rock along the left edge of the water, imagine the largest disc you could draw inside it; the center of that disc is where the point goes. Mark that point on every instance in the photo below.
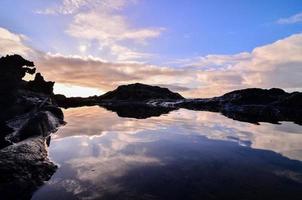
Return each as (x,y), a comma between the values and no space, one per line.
(28,117)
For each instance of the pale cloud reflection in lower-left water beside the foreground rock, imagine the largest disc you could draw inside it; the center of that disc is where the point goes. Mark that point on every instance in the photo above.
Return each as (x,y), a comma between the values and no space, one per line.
(95,163)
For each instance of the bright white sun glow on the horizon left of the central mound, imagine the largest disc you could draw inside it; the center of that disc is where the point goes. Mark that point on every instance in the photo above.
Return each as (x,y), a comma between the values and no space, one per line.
(70,90)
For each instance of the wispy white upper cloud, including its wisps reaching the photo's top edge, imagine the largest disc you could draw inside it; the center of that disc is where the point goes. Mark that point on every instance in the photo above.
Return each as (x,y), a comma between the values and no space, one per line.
(100,23)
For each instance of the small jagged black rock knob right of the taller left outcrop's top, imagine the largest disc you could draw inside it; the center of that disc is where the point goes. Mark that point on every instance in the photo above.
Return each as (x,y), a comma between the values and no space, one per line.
(39,85)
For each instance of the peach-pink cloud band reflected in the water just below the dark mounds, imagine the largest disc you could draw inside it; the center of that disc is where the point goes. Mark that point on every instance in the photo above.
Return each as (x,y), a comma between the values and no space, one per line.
(284,138)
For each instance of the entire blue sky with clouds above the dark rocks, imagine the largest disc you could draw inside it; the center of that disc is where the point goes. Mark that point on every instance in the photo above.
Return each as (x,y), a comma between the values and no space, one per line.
(199,48)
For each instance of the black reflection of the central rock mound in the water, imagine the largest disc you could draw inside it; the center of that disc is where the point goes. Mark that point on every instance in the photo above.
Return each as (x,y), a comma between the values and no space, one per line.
(136,110)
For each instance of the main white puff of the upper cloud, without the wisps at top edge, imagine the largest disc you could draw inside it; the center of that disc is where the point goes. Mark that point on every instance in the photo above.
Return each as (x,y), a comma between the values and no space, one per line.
(112,32)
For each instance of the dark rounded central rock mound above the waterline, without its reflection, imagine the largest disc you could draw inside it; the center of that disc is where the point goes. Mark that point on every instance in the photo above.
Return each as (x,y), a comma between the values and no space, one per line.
(139,92)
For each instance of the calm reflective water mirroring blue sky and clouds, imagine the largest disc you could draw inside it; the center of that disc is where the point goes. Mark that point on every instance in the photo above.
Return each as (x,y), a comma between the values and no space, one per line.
(181,155)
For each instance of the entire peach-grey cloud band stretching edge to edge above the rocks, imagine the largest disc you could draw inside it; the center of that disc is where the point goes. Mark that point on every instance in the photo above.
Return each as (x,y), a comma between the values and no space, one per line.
(274,65)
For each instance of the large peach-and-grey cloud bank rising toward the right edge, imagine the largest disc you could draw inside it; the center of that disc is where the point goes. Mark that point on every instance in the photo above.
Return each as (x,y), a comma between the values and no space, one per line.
(275,65)
